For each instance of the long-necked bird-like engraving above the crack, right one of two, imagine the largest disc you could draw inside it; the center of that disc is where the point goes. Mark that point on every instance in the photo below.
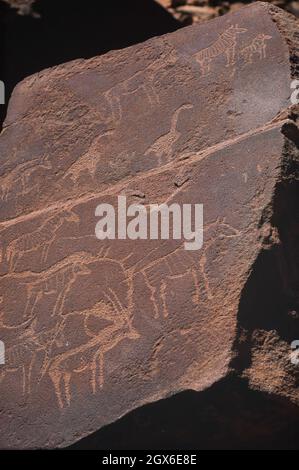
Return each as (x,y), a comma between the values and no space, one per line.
(163,146)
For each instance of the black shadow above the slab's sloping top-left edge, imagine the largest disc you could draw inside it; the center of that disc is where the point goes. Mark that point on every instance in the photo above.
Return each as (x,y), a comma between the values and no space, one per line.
(70,30)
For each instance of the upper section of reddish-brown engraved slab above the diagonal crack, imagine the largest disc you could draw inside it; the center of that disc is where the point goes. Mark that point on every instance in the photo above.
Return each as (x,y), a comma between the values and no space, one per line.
(80,127)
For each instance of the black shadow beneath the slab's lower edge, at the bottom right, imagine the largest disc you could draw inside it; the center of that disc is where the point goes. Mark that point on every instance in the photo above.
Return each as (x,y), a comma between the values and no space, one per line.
(227,416)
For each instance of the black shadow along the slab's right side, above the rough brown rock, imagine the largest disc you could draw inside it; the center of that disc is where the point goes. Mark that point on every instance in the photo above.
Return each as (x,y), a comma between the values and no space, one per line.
(270,298)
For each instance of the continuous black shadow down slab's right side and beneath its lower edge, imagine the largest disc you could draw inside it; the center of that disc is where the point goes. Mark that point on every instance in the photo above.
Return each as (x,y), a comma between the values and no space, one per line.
(230,415)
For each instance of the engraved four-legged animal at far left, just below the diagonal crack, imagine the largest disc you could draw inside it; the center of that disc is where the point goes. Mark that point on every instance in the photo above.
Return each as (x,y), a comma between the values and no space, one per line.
(39,240)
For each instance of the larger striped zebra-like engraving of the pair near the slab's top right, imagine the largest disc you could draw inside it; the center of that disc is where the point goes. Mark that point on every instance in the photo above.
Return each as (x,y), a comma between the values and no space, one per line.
(224,45)
